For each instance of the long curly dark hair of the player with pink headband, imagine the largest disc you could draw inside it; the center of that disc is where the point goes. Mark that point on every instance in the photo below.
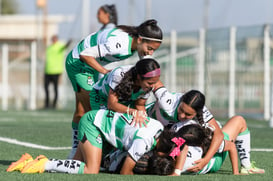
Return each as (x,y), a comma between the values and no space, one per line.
(124,89)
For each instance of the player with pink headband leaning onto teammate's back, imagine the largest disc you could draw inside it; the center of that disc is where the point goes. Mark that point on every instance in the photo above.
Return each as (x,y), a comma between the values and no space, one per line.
(126,89)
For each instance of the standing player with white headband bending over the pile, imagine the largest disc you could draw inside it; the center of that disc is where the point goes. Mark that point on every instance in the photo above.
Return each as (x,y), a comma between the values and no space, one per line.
(87,59)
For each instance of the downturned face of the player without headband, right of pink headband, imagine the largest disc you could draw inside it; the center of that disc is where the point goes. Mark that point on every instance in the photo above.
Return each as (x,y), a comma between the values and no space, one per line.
(185,112)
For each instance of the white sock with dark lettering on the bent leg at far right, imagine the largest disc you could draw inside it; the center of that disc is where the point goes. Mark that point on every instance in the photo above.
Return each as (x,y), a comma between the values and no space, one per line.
(243,147)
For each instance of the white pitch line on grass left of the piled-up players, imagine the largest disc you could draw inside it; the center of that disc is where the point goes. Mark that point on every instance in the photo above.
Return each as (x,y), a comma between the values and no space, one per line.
(31,145)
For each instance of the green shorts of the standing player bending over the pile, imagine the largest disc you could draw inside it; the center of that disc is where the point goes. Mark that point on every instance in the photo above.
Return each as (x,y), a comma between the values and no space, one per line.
(80,75)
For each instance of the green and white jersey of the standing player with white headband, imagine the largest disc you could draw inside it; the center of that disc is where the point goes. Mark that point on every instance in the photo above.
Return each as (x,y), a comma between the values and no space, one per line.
(112,44)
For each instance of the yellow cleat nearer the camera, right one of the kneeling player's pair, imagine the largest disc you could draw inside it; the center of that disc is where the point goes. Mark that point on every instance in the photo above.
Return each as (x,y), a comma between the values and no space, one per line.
(36,166)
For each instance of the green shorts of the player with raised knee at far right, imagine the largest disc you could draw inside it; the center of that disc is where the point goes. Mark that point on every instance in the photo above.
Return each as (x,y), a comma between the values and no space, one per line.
(219,158)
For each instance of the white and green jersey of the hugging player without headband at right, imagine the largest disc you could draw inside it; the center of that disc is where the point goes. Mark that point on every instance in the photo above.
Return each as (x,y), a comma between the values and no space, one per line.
(165,107)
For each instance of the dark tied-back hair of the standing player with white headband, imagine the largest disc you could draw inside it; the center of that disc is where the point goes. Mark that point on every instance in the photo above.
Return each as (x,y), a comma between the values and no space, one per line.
(148,29)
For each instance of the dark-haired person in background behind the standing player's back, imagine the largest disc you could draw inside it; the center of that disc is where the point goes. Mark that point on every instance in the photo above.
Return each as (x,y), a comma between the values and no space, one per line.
(107,16)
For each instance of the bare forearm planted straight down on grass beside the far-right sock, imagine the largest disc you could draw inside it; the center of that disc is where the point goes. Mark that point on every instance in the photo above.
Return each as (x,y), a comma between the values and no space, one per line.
(233,155)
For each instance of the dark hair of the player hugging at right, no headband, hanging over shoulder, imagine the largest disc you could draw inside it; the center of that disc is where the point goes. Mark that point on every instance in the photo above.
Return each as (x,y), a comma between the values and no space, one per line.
(196,100)
